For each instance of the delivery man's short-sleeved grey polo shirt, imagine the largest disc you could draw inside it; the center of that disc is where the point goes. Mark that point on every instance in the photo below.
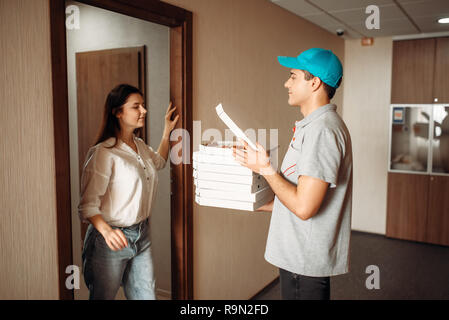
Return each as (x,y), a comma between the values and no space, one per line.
(317,247)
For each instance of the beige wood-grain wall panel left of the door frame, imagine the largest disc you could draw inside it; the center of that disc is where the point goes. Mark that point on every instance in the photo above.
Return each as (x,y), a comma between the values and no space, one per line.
(28,228)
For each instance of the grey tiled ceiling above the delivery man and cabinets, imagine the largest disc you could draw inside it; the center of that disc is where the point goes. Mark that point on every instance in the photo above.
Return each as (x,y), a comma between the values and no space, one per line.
(397,17)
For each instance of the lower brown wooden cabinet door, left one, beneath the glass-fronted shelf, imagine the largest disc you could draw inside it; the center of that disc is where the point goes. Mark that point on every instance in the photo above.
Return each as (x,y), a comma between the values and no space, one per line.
(407,206)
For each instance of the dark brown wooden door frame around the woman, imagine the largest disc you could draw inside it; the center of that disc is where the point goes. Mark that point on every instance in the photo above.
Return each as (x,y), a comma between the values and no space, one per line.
(180,22)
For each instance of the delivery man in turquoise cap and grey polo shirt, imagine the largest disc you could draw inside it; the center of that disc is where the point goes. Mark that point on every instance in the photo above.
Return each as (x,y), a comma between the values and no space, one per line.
(309,234)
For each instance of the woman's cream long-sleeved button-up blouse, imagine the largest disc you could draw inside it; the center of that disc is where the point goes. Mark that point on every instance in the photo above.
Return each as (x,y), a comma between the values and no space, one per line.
(119,183)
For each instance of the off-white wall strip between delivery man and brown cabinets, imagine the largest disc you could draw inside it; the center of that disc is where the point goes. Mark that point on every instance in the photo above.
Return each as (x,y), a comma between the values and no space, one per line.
(366,101)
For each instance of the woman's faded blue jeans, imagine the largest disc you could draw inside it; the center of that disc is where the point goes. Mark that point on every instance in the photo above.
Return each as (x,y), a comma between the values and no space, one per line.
(106,270)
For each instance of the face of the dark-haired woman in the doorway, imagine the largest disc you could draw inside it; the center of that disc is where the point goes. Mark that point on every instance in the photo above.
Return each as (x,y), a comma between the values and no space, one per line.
(133,112)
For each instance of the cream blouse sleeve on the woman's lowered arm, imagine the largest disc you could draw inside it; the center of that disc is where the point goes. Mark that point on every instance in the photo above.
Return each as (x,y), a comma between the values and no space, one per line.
(95,178)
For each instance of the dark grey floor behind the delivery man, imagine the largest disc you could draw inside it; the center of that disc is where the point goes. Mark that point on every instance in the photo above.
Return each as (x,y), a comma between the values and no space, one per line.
(408,270)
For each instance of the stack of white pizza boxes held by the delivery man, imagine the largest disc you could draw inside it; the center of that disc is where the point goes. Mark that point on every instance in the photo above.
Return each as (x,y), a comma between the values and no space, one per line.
(220,181)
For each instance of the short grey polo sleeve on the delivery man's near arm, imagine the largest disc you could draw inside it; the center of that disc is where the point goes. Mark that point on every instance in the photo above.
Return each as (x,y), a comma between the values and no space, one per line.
(321,156)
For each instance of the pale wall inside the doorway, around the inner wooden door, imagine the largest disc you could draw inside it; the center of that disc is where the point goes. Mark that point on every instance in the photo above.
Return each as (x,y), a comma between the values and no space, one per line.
(101,29)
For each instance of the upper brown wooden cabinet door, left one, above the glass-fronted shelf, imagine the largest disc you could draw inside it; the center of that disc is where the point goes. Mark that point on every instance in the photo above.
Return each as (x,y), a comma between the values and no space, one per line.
(413,70)
